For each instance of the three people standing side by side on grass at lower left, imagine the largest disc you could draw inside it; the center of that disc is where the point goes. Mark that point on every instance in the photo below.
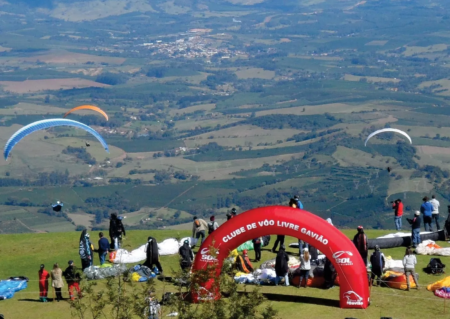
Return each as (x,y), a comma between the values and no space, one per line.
(71,275)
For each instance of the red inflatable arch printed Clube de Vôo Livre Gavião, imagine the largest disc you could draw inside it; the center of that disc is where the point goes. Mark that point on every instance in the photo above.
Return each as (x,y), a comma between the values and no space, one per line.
(282,220)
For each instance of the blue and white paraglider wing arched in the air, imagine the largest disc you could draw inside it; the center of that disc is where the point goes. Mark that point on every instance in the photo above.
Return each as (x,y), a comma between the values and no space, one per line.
(39,125)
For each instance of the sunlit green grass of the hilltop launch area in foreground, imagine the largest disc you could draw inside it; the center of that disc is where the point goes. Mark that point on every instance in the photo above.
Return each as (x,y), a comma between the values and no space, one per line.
(23,253)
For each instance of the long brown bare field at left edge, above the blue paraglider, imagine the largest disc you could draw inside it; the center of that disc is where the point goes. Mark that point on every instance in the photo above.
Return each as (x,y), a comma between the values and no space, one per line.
(50,84)
